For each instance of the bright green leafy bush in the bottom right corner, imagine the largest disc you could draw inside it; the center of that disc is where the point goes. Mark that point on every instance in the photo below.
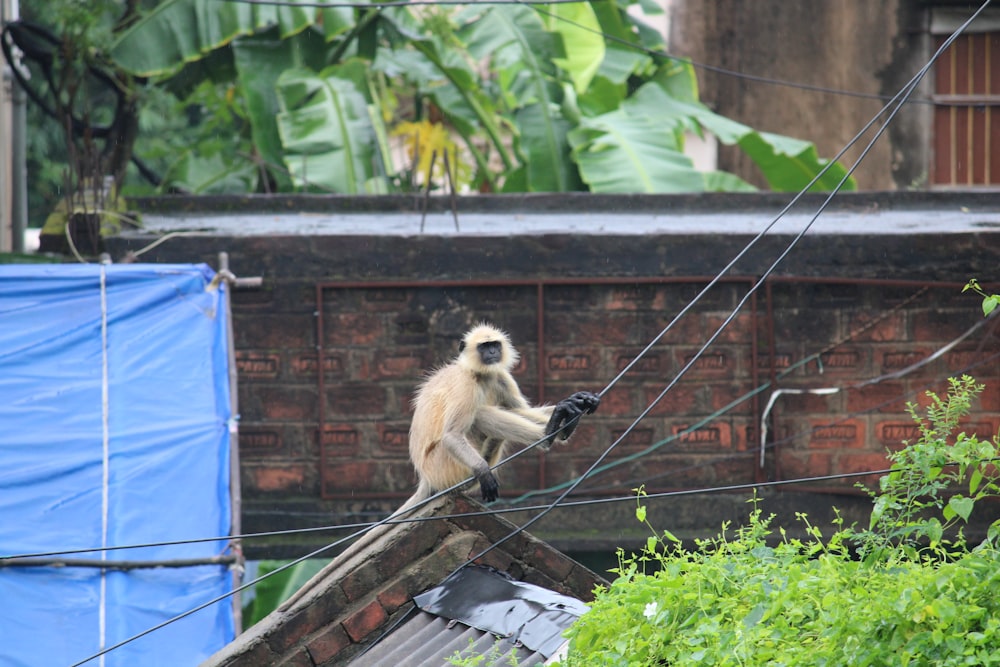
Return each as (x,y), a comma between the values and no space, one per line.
(753,597)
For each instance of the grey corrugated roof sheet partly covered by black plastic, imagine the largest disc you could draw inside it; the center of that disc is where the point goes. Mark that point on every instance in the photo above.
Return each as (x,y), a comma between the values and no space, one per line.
(479,611)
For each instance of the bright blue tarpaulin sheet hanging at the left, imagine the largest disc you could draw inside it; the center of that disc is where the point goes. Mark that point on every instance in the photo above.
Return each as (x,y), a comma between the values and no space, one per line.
(115,426)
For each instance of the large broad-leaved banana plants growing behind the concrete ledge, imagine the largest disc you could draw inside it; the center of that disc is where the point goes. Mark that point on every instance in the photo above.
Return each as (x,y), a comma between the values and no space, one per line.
(544,98)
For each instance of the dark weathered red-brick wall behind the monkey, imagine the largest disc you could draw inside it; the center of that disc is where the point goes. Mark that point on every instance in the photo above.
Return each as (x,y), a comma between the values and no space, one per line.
(382,309)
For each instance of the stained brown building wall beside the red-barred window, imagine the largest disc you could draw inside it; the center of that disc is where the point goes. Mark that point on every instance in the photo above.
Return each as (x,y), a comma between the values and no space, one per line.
(857,46)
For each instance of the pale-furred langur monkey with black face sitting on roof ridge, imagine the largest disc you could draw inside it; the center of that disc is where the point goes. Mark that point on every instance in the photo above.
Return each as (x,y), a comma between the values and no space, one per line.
(464,415)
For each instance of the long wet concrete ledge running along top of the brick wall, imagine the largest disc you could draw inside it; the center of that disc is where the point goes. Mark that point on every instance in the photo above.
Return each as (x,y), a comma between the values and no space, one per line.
(861,213)
